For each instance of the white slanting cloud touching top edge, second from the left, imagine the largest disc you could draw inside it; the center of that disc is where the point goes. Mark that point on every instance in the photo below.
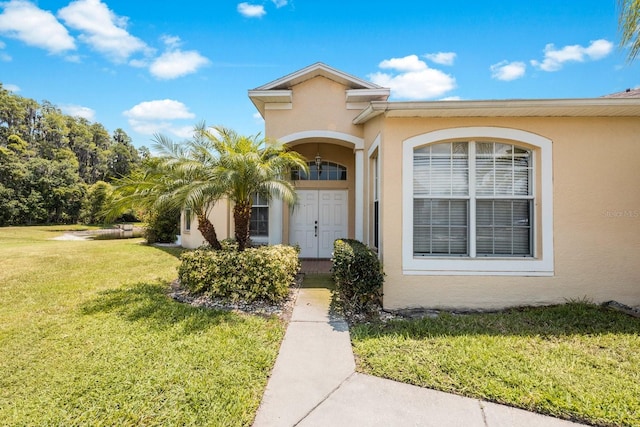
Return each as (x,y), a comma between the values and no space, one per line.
(102,29)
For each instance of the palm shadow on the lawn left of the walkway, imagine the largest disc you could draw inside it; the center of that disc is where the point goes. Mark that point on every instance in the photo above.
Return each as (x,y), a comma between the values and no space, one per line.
(149,304)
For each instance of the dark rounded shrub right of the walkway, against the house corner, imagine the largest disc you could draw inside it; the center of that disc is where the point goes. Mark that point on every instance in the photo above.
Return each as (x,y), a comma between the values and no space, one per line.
(358,275)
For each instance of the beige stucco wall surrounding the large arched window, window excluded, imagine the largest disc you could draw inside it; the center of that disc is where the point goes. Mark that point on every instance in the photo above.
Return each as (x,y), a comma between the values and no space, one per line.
(596,172)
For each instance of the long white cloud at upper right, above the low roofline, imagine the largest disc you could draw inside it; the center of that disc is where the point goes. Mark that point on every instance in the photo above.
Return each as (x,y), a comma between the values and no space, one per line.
(554,59)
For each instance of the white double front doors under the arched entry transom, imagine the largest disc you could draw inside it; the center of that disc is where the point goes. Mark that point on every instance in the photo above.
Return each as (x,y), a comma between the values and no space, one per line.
(319,218)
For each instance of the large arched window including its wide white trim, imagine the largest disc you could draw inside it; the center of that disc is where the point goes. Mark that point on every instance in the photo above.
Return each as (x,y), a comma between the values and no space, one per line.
(478,205)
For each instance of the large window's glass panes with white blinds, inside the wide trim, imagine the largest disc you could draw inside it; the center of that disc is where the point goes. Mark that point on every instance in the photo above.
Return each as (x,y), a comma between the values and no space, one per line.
(472,199)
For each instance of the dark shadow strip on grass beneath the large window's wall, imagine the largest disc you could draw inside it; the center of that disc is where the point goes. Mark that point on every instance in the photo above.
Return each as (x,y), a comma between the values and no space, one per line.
(574,318)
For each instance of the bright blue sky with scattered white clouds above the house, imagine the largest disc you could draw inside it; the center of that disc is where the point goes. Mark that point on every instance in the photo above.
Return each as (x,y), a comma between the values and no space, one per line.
(163,66)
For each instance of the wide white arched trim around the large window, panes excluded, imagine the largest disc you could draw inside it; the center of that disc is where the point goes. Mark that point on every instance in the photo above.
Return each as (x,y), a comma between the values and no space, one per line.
(542,266)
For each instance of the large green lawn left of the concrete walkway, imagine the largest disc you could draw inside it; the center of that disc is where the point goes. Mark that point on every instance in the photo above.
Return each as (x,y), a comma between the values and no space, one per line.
(89,337)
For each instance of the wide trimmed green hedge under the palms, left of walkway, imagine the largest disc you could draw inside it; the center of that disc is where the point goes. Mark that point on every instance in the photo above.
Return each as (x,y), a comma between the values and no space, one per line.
(255,274)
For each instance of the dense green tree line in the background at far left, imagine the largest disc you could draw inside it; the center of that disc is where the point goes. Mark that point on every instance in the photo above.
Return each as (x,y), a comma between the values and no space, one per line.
(56,168)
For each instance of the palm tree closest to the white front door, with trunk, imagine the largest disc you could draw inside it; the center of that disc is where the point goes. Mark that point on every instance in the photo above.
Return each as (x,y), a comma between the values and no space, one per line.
(248,166)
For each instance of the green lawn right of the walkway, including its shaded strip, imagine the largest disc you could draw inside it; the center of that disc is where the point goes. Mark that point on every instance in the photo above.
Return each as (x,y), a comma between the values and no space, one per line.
(577,361)
